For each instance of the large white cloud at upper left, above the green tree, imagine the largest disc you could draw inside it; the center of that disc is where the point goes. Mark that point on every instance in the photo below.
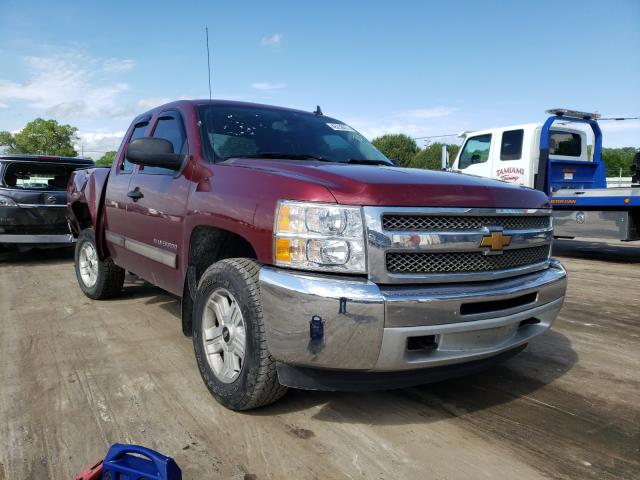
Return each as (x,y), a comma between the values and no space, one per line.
(69,83)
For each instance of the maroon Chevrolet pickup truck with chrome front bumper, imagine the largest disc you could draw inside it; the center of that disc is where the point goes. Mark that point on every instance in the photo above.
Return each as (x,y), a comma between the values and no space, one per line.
(305,258)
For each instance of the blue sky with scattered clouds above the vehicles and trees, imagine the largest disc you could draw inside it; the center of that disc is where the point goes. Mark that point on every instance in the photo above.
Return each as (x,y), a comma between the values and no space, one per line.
(420,68)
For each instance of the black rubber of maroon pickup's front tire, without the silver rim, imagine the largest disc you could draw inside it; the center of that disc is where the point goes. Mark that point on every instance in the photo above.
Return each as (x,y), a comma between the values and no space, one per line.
(257,383)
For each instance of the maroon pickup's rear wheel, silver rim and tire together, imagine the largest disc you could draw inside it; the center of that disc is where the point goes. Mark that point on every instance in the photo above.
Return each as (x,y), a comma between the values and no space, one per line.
(98,279)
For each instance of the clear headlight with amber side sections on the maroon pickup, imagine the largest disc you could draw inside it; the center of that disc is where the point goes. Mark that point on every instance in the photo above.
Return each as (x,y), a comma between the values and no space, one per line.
(318,236)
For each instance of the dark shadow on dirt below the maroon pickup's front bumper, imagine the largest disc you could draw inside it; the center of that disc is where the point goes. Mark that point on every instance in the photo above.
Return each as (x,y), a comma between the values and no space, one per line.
(546,359)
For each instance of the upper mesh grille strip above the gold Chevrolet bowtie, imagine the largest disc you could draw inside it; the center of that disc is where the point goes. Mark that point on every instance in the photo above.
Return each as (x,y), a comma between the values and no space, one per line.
(452,222)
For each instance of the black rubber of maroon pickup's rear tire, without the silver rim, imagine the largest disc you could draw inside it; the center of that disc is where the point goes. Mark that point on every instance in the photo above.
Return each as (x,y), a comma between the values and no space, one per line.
(110,277)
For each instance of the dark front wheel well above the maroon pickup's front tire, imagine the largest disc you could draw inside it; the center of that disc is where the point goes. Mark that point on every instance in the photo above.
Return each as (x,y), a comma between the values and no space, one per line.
(207,246)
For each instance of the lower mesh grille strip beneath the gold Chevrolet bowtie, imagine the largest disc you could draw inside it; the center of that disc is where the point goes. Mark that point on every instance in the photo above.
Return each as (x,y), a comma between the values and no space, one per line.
(463,262)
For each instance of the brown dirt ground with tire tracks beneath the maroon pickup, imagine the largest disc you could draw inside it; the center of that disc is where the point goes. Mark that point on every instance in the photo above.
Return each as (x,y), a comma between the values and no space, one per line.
(78,375)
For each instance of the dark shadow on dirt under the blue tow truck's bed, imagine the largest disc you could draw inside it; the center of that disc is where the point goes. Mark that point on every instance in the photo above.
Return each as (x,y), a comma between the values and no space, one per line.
(608,252)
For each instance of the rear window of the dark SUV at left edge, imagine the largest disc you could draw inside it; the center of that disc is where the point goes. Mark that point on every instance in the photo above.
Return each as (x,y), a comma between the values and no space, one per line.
(37,176)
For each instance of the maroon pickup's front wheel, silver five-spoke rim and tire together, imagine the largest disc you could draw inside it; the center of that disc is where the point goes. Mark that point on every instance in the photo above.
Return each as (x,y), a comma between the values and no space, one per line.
(229,337)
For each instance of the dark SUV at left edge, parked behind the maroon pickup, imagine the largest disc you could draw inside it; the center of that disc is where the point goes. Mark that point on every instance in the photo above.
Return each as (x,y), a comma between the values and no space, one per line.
(33,200)
